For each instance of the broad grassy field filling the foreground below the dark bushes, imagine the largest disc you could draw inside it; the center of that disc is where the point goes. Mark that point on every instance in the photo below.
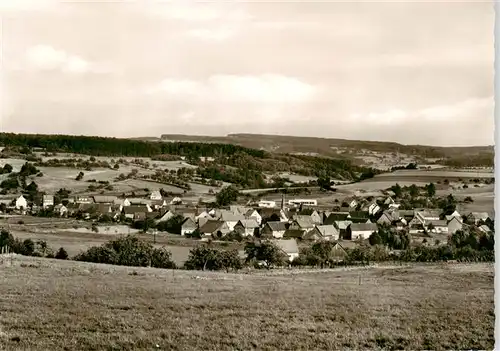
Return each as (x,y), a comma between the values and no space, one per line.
(47,304)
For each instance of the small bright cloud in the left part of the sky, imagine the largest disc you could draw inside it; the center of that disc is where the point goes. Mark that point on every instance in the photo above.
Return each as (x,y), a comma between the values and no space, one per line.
(47,58)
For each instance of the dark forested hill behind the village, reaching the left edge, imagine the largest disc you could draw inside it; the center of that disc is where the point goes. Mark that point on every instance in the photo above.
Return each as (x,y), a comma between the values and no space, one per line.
(251,161)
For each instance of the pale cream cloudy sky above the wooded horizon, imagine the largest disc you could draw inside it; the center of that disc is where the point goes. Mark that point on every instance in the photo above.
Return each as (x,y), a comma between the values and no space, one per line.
(417,72)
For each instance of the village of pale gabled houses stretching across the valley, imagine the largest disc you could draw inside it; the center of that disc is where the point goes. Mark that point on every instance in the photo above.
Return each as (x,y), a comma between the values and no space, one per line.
(290,224)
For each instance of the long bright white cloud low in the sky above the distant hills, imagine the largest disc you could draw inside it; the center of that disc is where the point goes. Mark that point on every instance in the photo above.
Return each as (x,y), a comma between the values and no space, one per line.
(267,88)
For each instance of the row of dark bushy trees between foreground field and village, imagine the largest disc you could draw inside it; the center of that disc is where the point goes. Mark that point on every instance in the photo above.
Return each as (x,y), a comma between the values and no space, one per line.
(131,251)
